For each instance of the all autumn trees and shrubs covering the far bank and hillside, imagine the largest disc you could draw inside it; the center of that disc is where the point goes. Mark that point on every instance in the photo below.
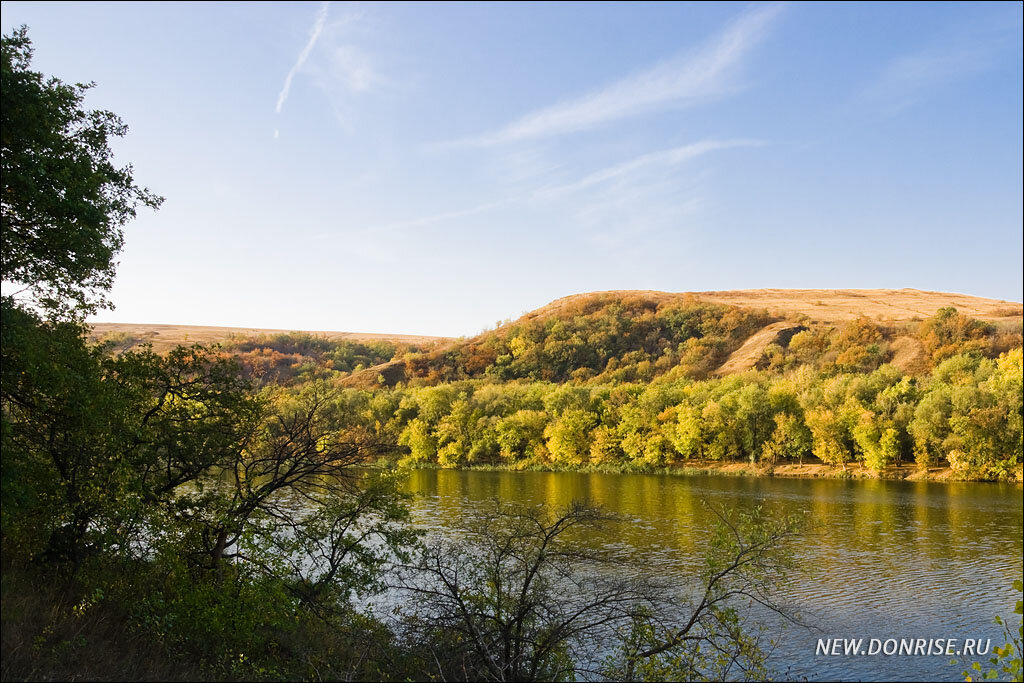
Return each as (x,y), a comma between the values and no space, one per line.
(643,383)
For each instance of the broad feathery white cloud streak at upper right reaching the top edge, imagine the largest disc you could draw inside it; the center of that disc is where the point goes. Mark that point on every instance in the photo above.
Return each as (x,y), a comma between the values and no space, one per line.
(685,80)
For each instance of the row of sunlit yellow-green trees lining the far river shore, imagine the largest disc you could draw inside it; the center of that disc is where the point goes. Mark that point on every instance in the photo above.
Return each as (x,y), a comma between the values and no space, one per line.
(966,414)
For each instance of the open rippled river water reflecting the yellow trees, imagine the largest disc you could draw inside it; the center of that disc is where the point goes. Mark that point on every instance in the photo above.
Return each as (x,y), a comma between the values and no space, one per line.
(882,560)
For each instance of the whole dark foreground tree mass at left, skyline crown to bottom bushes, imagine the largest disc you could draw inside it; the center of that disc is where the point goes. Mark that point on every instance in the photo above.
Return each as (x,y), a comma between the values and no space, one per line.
(224,524)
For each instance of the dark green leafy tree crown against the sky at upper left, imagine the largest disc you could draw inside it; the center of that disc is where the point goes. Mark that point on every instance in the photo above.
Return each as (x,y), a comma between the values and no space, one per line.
(63,200)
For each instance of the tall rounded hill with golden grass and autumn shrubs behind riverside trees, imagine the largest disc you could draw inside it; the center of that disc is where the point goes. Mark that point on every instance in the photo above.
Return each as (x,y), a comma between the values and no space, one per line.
(639,335)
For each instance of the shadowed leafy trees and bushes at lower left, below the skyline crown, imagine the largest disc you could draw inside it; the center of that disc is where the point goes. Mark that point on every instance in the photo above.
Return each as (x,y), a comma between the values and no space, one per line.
(227,525)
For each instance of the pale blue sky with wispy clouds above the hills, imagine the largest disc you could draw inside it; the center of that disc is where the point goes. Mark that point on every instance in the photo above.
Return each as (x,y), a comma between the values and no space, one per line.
(438,168)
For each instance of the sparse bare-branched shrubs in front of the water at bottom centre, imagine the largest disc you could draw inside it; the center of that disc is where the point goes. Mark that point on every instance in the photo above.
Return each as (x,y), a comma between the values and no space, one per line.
(523,600)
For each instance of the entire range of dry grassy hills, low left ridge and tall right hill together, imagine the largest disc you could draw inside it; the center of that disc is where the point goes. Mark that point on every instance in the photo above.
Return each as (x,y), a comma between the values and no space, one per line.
(628,336)
